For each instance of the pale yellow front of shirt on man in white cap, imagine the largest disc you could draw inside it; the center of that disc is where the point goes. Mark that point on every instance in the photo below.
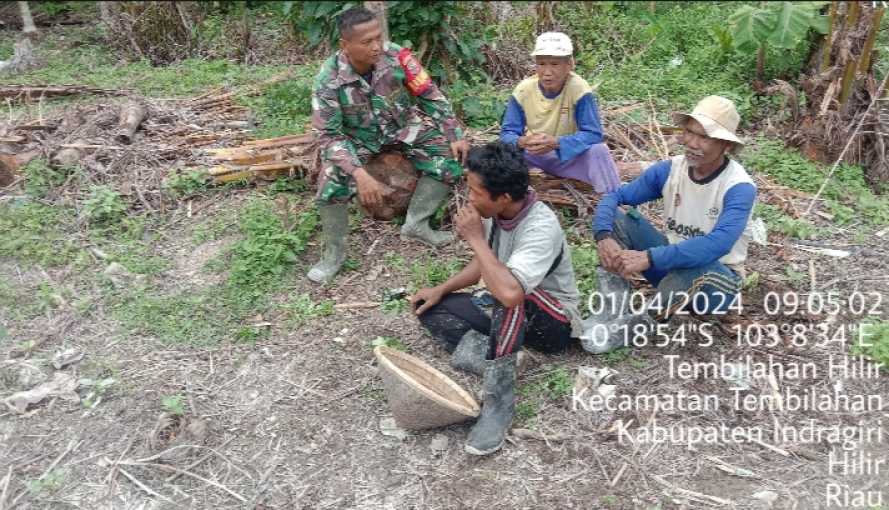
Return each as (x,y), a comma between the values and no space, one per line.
(554,116)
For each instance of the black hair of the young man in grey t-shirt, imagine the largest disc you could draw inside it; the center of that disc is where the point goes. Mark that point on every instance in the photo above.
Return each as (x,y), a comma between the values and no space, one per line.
(502,169)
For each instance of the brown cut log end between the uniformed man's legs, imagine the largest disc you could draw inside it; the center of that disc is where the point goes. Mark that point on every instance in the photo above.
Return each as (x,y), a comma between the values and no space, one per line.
(399,178)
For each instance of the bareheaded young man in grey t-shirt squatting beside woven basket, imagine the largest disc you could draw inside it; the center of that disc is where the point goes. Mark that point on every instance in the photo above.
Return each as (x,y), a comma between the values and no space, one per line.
(521,253)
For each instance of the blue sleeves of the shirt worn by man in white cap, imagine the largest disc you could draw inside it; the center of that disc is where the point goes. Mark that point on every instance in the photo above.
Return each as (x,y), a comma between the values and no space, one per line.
(586,116)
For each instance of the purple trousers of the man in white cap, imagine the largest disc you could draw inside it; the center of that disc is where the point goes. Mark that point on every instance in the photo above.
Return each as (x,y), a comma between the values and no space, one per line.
(593,166)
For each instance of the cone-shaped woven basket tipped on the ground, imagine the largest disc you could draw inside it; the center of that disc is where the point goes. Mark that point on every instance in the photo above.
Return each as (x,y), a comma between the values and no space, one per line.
(420,396)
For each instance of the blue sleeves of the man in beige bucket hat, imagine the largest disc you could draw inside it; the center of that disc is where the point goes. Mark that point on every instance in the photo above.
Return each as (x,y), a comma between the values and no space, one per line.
(694,251)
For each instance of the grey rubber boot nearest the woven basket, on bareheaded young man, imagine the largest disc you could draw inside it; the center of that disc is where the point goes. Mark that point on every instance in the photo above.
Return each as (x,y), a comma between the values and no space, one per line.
(489,432)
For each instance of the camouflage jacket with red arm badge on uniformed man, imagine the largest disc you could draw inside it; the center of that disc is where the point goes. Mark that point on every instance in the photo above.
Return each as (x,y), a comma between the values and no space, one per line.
(346,110)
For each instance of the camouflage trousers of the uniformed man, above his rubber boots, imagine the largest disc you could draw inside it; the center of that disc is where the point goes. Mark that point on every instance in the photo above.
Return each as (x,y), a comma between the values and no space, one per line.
(425,147)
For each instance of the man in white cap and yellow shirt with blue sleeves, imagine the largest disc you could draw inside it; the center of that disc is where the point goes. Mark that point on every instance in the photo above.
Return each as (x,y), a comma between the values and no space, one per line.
(554,118)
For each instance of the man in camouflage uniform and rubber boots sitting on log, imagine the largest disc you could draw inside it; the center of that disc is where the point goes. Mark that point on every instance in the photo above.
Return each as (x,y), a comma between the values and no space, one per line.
(366,97)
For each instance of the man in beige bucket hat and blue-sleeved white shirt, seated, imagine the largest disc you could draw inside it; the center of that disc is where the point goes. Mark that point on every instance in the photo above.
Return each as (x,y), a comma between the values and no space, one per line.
(697,265)
